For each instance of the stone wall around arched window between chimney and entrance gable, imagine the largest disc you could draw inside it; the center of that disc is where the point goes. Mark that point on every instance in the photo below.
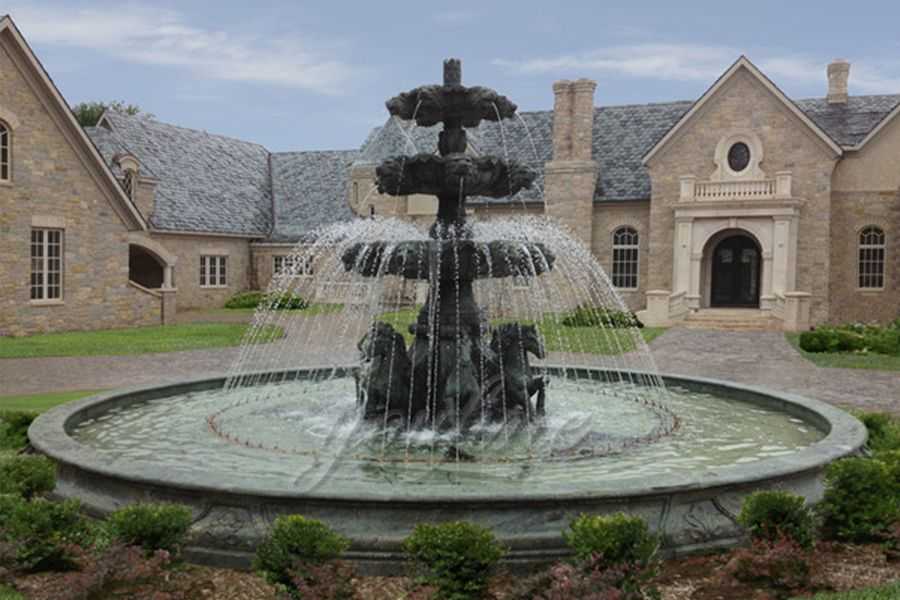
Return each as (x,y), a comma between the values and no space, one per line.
(607,218)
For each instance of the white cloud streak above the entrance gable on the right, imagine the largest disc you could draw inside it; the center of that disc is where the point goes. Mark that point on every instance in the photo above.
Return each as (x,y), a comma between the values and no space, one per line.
(705,63)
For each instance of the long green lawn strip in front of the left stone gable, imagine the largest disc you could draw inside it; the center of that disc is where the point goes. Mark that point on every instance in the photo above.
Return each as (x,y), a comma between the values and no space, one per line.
(139,340)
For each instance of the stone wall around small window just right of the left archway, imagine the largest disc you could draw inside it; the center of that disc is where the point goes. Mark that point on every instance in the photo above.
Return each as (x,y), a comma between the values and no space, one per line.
(188,249)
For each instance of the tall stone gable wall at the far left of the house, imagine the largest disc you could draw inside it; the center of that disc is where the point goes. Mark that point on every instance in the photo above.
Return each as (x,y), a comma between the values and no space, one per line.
(52,185)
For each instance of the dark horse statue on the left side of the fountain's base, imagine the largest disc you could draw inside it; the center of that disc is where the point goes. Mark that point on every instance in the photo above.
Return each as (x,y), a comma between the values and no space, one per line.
(382,383)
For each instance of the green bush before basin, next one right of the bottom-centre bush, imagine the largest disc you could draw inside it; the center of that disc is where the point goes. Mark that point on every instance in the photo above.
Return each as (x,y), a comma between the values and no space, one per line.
(619,538)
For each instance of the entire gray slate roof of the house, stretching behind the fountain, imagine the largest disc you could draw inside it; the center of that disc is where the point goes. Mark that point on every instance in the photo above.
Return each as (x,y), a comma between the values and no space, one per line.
(215,184)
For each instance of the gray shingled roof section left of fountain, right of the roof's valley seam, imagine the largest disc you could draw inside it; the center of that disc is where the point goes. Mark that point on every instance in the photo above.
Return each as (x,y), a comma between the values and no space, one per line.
(310,191)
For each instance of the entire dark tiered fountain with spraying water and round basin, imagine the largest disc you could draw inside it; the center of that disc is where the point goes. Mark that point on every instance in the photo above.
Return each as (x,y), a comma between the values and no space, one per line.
(482,402)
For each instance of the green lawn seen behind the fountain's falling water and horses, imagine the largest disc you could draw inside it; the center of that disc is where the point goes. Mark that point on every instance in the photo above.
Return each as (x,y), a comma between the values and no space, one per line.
(558,338)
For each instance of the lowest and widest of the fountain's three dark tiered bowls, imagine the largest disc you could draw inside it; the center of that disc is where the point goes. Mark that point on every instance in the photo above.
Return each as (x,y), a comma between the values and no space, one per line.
(446,259)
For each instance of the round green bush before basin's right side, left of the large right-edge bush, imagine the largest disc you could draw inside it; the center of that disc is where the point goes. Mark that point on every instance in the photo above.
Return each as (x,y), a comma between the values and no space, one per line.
(770,515)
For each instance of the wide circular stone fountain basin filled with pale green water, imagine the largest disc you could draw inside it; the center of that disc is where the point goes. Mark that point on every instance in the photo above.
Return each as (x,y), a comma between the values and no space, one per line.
(300,447)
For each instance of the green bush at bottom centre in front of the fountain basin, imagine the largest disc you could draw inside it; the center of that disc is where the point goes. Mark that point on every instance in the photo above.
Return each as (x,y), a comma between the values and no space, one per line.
(457,557)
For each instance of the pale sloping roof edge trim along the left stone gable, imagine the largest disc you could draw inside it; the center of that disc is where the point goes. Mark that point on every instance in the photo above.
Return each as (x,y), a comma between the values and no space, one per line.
(59,108)
